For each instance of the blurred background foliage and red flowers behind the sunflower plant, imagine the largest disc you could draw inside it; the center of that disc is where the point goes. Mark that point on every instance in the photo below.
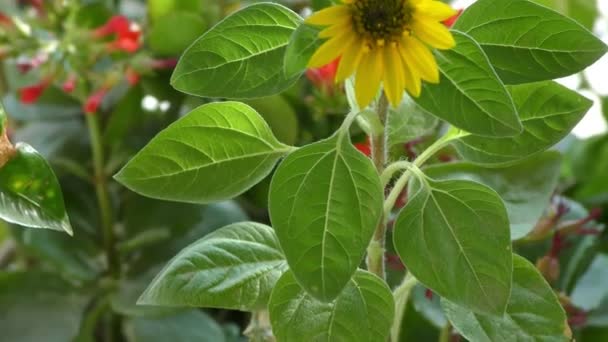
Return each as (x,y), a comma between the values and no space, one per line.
(87,84)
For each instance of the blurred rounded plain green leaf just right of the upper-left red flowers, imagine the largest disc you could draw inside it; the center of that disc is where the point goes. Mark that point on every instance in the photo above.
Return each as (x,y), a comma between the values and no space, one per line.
(173,33)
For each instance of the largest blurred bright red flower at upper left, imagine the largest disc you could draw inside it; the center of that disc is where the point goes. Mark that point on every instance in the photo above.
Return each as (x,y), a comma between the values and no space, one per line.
(127,34)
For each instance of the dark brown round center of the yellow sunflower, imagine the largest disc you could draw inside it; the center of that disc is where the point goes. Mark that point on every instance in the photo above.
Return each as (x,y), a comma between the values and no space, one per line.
(381,20)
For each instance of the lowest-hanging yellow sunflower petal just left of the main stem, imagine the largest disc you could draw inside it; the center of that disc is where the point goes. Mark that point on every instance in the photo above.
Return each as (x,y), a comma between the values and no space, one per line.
(369,75)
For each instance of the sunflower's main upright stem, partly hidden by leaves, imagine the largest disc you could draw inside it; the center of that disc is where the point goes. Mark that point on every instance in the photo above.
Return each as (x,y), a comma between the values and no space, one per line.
(375,251)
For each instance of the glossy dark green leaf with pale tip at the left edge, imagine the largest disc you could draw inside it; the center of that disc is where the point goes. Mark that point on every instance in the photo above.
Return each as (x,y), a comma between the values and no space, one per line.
(30,194)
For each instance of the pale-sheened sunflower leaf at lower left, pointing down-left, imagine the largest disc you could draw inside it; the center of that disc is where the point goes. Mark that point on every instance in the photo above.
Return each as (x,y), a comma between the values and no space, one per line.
(235,267)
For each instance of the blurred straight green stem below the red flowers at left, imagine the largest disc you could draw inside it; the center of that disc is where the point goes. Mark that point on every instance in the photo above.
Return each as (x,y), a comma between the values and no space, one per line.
(103,198)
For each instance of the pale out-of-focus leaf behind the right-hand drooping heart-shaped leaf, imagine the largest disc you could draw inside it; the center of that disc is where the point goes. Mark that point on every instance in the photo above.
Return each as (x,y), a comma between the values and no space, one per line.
(525,188)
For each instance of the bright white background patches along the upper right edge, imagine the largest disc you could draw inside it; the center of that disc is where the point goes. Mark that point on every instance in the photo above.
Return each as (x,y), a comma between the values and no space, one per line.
(597,76)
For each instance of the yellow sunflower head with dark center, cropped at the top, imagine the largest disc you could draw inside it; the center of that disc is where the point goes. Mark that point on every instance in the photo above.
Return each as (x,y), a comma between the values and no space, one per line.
(383,41)
